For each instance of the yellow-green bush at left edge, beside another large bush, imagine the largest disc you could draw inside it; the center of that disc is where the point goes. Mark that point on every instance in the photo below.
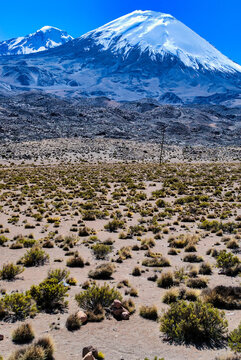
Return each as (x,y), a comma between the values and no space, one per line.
(17,306)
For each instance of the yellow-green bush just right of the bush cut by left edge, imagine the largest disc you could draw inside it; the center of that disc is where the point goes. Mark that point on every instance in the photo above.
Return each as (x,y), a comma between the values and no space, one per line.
(49,295)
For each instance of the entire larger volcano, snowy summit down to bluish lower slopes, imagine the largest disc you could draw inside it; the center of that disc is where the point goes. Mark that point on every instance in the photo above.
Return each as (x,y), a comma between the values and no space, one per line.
(143,54)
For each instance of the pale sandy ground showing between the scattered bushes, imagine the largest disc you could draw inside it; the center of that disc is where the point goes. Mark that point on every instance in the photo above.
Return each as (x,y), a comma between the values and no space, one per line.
(129,340)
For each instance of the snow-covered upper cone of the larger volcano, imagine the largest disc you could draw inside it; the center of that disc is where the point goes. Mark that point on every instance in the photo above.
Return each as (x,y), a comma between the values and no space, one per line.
(161,34)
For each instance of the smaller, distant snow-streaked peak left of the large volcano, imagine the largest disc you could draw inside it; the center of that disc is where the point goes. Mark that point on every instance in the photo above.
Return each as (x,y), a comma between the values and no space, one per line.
(43,39)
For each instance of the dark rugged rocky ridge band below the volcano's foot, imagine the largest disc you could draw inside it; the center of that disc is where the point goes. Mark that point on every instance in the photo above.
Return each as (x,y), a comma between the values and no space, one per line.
(37,116)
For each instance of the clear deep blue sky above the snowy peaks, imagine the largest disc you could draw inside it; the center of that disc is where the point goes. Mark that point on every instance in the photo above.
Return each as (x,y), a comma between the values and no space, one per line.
(218,21)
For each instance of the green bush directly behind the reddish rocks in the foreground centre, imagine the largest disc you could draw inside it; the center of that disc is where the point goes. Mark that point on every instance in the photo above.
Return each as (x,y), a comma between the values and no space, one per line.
(95,295)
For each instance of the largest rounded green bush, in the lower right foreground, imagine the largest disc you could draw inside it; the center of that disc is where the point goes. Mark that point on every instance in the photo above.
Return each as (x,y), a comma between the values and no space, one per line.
(195,323)
